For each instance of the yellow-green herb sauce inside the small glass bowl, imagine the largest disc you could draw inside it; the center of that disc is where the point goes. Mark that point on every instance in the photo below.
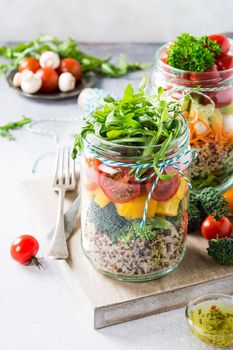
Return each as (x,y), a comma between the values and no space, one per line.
(213,320)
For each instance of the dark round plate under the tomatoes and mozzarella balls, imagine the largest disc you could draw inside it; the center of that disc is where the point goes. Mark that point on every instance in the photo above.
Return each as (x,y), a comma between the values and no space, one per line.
(88,80)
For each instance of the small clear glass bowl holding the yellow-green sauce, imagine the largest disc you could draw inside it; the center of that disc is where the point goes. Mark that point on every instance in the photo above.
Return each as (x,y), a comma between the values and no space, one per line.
(215,339)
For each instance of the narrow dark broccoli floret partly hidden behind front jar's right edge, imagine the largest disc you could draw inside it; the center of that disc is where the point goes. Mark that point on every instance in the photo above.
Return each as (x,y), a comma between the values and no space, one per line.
(194,214)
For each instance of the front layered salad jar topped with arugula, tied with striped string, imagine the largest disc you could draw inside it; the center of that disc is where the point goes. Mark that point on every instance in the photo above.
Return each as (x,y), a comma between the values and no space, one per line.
(135,160)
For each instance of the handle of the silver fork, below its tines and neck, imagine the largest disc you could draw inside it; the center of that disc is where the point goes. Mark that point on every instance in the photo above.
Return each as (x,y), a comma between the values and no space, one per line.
(58,247)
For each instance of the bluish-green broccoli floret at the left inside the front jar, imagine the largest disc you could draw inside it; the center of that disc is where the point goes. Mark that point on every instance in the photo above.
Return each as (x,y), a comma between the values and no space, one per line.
(107,219)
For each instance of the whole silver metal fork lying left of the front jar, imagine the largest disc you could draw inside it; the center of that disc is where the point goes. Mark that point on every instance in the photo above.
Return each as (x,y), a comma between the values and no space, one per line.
(64,180)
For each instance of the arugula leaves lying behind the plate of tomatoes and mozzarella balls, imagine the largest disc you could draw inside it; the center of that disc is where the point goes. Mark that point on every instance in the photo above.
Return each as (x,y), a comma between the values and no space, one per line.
(64,49)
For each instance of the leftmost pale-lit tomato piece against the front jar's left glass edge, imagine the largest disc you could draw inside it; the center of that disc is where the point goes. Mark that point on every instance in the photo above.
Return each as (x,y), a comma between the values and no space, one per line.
(91,173)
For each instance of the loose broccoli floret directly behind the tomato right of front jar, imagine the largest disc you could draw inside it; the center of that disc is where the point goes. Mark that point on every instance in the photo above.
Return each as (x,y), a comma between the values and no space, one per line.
(211,202)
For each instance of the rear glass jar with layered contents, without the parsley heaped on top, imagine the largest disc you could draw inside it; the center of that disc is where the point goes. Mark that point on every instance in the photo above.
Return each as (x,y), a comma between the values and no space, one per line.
(210,112)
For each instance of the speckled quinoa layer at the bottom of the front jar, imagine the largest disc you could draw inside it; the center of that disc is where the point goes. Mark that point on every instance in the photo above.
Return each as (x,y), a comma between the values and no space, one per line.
(138,257)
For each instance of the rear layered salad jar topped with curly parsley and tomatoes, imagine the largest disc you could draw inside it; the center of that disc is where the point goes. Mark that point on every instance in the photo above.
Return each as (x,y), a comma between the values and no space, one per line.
(205,66)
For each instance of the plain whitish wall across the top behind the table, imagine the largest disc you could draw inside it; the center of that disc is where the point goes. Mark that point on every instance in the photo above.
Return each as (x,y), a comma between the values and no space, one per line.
(113,20)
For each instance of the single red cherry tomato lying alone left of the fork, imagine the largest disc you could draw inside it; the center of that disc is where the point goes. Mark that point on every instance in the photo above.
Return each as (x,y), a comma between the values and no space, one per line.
(24,249)
